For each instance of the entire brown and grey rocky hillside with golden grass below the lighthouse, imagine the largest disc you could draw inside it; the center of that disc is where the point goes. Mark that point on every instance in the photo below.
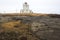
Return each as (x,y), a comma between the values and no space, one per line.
(29,27)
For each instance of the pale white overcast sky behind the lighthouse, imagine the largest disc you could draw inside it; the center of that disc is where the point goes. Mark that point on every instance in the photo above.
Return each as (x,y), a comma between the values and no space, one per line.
(38,6)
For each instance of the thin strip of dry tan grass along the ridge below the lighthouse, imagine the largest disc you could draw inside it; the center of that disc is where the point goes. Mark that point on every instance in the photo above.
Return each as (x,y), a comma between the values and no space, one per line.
(24,14)
